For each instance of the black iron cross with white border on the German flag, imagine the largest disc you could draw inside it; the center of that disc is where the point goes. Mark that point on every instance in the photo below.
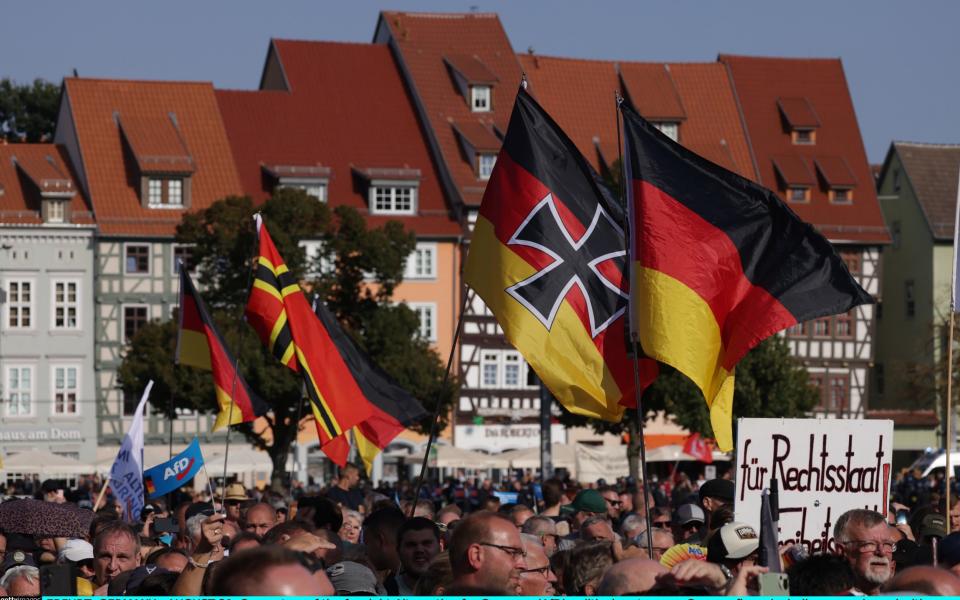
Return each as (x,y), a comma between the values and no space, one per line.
(575,262)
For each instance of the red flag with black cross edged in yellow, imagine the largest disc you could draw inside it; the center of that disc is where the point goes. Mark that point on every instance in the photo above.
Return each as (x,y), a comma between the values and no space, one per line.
(281,315)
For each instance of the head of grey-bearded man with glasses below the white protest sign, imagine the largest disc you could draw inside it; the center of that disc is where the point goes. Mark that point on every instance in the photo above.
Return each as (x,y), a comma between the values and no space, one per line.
(865,539)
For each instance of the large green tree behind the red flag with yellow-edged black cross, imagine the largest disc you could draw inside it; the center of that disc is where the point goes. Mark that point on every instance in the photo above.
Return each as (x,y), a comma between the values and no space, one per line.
(356,274)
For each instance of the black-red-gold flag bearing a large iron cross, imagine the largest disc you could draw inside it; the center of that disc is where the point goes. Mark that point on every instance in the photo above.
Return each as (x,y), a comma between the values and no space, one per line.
(548,256)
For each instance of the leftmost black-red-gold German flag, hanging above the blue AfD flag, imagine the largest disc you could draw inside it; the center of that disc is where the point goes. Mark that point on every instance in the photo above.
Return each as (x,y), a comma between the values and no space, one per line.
(200,345)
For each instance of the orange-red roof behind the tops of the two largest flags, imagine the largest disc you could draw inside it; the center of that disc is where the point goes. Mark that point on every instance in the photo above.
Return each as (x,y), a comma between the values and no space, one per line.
(698,95)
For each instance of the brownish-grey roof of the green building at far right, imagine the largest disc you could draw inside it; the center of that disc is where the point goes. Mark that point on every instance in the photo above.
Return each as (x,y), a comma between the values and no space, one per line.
(933,171)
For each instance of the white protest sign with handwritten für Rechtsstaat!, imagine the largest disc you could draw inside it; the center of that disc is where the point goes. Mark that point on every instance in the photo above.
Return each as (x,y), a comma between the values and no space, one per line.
(824,467)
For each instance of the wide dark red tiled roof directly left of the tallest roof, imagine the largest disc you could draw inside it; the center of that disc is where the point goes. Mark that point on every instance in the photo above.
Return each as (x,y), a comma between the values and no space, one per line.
(365,128)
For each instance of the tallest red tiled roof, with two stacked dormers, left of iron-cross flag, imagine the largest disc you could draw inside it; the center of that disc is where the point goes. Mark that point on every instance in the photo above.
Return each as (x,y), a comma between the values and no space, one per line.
(423,41)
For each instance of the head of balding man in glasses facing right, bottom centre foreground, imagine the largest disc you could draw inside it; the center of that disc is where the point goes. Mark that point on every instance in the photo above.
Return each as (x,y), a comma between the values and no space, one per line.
(487,555)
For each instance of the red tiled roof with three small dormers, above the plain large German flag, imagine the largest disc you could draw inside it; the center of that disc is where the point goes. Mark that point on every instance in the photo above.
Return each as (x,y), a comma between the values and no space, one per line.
(761,85)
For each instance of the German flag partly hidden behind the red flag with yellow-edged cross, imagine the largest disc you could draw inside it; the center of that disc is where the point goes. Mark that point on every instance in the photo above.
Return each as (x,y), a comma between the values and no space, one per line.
(393,408)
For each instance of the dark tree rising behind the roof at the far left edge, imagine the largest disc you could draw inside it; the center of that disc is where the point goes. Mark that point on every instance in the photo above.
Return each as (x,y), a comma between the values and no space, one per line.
(28,112)
